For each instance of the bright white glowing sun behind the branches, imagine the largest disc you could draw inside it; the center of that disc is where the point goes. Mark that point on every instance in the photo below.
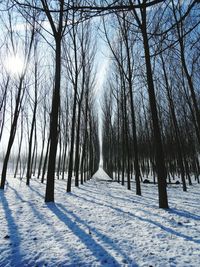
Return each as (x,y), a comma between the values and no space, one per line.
(14,65)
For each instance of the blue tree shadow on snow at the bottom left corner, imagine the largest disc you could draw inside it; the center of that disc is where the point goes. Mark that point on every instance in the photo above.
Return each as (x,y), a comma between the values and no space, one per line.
(13,236)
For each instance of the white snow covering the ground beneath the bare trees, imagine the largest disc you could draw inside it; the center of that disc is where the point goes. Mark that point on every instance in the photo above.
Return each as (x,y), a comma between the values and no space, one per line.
(100,223)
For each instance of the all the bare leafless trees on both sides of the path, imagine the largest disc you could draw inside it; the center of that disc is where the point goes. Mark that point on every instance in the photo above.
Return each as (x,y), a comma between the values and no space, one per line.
(151,119)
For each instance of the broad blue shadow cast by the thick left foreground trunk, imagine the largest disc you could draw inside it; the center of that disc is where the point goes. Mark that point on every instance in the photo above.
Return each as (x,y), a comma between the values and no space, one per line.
(98,250)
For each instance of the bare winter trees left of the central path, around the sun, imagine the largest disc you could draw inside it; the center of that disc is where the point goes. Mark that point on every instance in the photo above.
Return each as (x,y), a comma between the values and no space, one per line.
(57,127)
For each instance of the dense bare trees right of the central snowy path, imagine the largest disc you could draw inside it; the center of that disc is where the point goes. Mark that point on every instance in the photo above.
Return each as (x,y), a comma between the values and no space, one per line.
(151,104)
